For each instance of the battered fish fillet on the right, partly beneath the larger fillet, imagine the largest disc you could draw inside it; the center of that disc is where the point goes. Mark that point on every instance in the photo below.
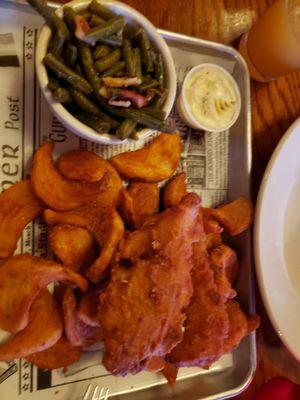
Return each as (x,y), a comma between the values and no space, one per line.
(215,324)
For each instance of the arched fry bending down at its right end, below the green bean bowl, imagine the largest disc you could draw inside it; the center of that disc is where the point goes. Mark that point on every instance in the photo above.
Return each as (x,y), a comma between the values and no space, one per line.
(87,166)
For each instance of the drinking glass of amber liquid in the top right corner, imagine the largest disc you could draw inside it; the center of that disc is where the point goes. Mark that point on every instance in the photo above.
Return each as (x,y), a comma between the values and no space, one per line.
(271,48)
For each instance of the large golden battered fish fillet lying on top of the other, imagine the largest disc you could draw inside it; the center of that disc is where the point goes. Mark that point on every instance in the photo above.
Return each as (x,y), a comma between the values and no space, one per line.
(141,311)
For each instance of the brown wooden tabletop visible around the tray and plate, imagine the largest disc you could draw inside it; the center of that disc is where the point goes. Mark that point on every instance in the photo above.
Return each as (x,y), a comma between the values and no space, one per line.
(274,107)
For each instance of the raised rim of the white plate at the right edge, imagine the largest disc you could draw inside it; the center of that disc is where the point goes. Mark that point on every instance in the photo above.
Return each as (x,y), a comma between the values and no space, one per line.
(257,226)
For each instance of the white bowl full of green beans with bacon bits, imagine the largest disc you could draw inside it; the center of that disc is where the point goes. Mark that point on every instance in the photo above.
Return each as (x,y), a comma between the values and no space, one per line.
(106,73)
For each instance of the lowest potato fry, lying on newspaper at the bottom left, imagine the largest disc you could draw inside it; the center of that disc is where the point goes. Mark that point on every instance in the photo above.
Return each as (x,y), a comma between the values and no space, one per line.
(61,354)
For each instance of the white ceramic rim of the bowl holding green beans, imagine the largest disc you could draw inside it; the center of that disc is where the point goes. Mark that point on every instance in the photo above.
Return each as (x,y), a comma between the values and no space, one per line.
(133,17)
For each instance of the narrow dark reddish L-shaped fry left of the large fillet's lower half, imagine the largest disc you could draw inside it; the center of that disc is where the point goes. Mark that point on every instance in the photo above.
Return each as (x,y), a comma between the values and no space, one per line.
(77,332)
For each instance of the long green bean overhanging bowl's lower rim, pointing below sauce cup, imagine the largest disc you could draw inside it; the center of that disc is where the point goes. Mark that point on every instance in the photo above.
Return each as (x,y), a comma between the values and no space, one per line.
(138,116)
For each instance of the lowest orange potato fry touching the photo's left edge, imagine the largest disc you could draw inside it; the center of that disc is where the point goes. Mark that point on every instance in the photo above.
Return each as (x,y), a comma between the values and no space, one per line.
(45,327)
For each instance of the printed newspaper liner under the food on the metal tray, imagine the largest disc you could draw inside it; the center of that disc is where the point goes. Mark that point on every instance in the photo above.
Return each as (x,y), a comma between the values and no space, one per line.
(26,122)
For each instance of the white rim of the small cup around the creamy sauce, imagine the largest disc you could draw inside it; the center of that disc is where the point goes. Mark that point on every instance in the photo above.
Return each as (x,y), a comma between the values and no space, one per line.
(184,109)
